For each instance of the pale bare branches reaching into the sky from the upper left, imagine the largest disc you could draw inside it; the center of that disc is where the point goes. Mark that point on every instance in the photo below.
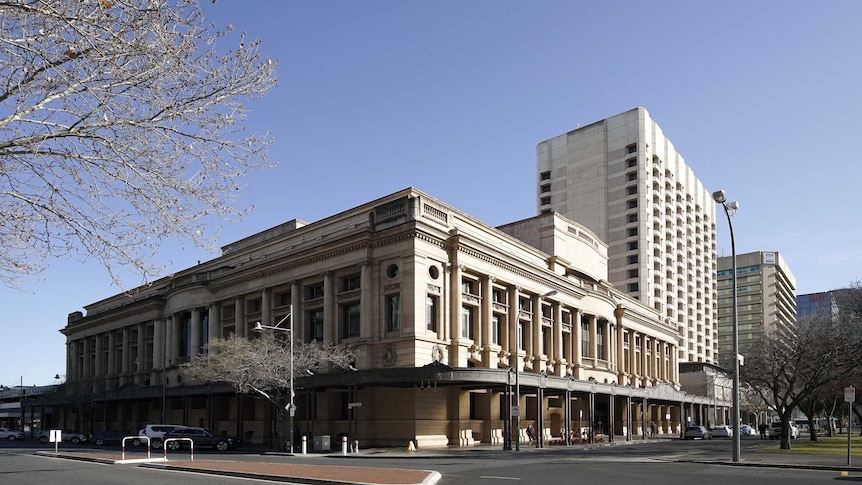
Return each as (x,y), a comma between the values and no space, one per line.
(121,125)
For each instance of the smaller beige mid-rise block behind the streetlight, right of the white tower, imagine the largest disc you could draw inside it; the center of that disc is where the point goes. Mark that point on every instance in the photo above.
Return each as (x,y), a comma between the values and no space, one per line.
(766,298)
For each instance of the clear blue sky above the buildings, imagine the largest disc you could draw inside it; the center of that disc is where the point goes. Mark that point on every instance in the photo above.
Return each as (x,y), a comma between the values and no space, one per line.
(761,98)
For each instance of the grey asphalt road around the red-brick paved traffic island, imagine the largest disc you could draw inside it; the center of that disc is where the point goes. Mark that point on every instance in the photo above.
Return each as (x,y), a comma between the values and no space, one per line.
(663,461)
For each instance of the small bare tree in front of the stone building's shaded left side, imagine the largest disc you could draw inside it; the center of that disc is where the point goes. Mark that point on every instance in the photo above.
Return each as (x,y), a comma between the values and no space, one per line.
(261,365)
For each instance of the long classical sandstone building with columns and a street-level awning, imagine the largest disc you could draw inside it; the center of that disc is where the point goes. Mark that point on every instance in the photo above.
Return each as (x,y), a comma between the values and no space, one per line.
(438,307)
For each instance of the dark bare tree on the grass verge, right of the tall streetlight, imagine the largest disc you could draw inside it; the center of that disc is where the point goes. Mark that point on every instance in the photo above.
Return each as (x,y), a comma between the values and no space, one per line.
(788,369)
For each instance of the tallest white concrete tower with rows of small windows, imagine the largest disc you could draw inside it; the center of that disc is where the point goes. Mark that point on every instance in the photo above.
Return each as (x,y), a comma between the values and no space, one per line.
(623,179)
